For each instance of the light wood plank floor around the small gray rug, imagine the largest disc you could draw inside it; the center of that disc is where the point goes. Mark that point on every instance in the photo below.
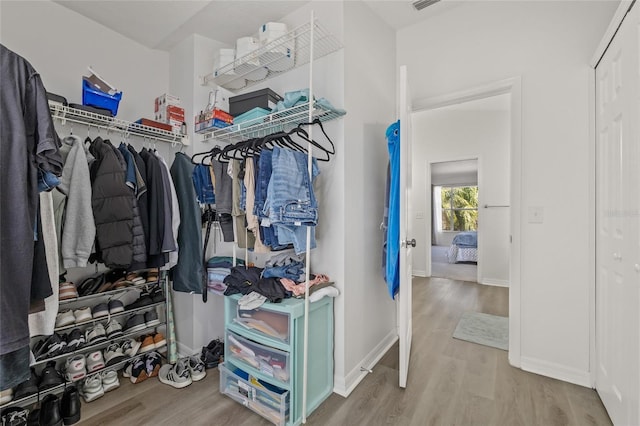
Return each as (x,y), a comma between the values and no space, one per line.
(452,382)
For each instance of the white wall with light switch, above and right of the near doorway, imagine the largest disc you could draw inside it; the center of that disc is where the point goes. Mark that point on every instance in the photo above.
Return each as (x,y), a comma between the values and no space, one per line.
(549,44)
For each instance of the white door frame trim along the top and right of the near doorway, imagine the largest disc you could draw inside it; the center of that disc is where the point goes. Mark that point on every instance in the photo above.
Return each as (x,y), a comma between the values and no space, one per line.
(512,86)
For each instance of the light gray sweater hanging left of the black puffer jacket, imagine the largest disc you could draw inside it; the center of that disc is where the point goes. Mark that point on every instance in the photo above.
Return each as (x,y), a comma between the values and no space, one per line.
(78,227)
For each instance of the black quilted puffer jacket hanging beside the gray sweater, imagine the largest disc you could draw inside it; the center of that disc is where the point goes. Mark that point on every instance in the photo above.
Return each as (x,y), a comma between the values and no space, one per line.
(112,202)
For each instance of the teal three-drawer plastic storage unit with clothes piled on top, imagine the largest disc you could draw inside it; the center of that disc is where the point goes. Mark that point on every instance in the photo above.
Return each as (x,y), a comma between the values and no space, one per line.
(266,344)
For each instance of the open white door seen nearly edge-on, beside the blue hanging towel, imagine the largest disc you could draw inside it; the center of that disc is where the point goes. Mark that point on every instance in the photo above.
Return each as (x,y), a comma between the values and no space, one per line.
(407,241)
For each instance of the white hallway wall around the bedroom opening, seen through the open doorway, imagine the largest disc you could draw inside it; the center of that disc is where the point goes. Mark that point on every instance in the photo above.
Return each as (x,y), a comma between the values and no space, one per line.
(447,135)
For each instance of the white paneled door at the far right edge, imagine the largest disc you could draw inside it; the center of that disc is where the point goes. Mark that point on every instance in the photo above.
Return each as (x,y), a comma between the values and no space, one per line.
(617,230)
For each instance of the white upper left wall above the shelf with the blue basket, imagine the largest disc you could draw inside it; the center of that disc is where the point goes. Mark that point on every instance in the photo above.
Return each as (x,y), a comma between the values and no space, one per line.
(61,44)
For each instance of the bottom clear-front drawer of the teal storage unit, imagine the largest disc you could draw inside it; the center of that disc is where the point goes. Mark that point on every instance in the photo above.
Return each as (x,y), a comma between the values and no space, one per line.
(267,400)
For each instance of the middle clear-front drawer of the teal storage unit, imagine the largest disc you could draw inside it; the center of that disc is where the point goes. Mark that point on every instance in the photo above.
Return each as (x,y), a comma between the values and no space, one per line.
(270,362)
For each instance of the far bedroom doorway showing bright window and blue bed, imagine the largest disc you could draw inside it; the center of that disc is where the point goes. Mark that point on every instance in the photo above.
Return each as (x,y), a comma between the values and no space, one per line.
(454,219)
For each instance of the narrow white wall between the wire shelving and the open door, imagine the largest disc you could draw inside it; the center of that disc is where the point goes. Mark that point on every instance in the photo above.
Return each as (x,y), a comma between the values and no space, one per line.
(369,312)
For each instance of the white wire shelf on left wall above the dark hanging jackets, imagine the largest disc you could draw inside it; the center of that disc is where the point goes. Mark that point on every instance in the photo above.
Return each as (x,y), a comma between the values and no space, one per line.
(99,121)
